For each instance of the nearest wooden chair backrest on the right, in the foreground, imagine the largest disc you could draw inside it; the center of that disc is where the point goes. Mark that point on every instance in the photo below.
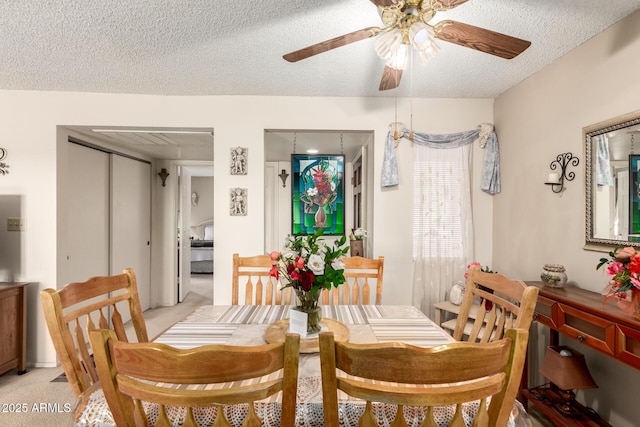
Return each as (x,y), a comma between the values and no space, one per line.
(402,374)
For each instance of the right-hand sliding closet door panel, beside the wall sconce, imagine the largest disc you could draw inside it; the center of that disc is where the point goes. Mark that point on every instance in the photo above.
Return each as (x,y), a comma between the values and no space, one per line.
(131,221)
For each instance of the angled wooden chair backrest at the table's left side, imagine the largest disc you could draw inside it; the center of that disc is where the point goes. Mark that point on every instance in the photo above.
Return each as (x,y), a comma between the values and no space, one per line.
(80,307)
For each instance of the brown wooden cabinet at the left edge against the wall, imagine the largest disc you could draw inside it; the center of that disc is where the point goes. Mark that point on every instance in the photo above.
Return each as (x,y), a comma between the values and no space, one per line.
(13,327)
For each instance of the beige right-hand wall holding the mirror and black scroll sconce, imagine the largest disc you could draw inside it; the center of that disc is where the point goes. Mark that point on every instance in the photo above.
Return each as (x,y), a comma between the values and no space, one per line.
(535,121)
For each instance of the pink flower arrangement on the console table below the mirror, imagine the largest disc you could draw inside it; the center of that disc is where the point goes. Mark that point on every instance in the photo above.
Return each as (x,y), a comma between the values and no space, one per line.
(623,269)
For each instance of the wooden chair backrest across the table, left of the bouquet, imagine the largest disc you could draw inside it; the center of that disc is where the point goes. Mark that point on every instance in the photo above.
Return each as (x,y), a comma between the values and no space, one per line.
(251,275)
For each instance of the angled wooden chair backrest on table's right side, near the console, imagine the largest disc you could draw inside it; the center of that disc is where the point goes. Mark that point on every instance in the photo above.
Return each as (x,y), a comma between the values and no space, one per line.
(503,303)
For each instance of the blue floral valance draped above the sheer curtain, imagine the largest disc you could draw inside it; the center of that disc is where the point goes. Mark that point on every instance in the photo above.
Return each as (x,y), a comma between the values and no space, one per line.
(484,134)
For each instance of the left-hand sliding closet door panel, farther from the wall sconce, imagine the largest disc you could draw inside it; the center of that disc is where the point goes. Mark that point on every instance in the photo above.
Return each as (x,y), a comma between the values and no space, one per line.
(87,218)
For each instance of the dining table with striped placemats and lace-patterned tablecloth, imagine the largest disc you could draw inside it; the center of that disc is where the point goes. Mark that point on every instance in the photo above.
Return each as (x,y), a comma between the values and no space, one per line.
(250,325)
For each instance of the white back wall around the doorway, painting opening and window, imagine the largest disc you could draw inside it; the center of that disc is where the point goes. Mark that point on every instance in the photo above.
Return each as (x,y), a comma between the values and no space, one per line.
(29,134)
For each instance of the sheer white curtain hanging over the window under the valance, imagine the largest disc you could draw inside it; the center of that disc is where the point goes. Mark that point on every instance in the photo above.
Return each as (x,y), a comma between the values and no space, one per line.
(442,224)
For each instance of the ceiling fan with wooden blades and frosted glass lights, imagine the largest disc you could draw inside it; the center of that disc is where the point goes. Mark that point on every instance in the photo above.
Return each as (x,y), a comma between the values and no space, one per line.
(406,24)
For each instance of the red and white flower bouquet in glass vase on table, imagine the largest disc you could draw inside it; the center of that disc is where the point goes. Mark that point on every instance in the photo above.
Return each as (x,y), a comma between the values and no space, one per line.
(308,265)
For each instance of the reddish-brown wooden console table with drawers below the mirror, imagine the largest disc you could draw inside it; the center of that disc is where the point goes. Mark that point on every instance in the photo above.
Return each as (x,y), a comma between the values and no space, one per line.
(582,315)
